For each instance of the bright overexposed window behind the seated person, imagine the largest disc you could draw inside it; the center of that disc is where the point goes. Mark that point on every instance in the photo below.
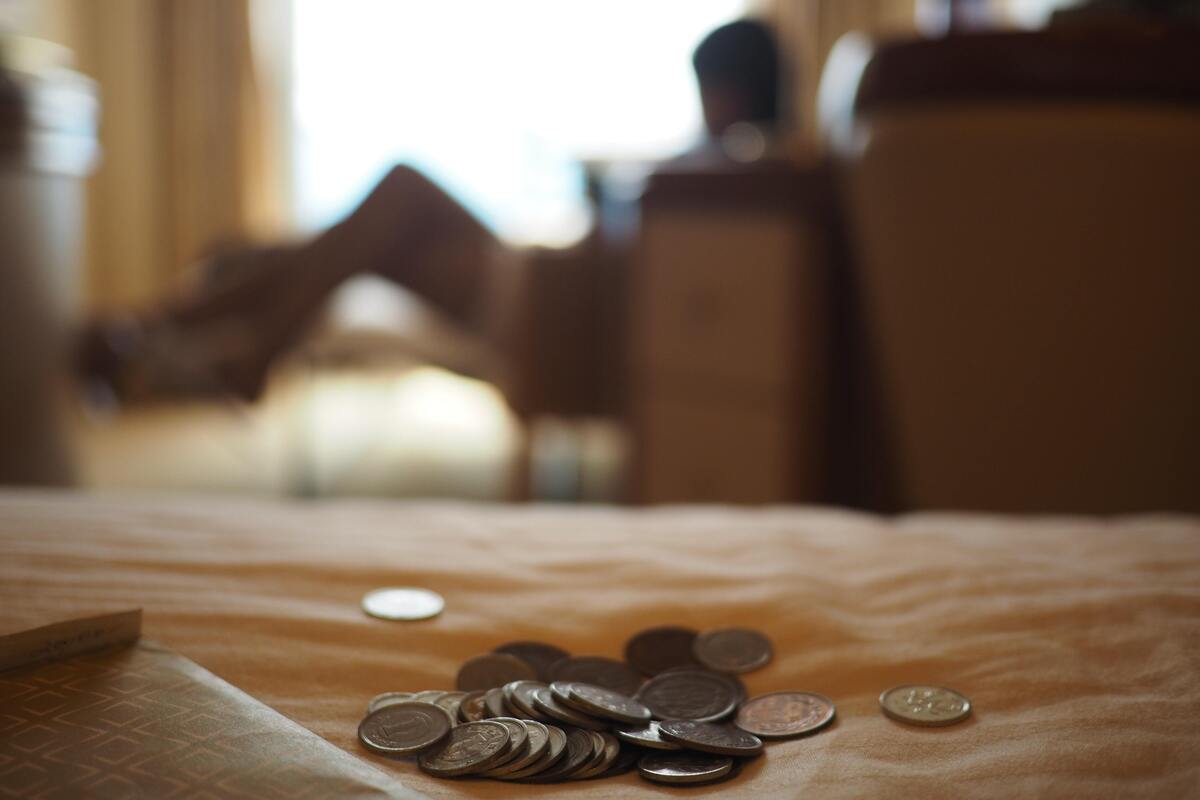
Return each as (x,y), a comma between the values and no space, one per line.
(497,101)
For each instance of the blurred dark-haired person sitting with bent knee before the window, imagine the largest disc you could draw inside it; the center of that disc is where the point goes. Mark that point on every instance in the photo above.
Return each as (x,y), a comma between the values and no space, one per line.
(242,311)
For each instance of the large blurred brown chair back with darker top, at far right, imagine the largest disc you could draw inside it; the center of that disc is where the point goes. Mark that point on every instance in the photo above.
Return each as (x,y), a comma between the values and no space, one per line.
(1028,268)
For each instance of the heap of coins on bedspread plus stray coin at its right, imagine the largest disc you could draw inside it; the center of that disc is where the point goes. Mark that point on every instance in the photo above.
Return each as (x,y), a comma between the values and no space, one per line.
(675,709)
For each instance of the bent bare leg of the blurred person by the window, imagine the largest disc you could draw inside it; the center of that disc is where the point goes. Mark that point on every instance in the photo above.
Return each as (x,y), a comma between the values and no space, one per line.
(407,230)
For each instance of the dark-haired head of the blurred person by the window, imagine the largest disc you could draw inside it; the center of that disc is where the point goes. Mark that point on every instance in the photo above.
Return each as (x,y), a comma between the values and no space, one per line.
(737,68)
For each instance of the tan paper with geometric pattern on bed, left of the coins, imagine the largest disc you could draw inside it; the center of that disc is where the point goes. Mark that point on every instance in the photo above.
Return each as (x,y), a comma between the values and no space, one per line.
(143,721)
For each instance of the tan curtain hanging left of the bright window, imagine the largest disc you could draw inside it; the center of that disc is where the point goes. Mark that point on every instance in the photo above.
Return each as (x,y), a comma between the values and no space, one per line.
(184,167)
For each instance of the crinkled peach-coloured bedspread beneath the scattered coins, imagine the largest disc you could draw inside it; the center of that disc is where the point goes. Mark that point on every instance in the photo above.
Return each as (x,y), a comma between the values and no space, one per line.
(1078,640)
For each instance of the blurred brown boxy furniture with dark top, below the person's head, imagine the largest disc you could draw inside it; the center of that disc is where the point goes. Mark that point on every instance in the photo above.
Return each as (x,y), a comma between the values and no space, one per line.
(730,336)
